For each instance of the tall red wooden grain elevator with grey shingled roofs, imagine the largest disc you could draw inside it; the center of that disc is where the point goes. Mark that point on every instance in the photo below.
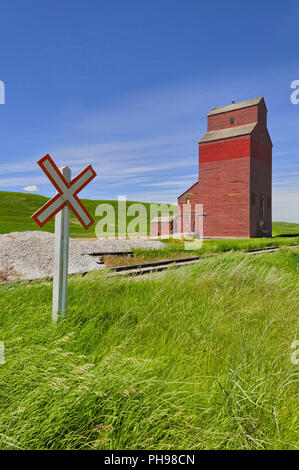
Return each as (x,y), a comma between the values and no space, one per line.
(235,173)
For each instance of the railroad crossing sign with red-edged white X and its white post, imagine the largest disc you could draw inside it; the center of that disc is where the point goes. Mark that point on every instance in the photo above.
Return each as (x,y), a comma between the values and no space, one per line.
(59,206)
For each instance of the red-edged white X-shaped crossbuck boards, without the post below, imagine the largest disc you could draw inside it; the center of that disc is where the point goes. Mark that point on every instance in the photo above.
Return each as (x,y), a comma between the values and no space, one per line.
(67,194)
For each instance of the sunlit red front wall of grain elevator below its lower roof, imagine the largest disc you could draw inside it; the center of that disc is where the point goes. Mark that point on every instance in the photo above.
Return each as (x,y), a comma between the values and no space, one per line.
(224,182)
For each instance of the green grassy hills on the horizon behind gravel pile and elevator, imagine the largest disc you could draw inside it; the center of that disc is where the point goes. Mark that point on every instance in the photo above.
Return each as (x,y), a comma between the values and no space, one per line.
(16,210)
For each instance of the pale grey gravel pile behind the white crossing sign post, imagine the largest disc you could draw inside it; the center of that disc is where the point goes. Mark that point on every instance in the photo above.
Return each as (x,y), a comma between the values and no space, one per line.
(29,255)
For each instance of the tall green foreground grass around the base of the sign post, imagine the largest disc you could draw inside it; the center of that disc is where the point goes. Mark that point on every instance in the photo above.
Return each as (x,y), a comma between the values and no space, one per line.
(195,358)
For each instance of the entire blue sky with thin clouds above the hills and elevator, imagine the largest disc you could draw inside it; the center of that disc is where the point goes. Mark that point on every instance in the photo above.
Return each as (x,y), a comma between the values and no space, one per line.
(126,86)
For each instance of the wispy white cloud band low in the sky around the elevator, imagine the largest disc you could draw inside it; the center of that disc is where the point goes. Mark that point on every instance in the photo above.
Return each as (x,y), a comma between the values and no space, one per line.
(146,144)
